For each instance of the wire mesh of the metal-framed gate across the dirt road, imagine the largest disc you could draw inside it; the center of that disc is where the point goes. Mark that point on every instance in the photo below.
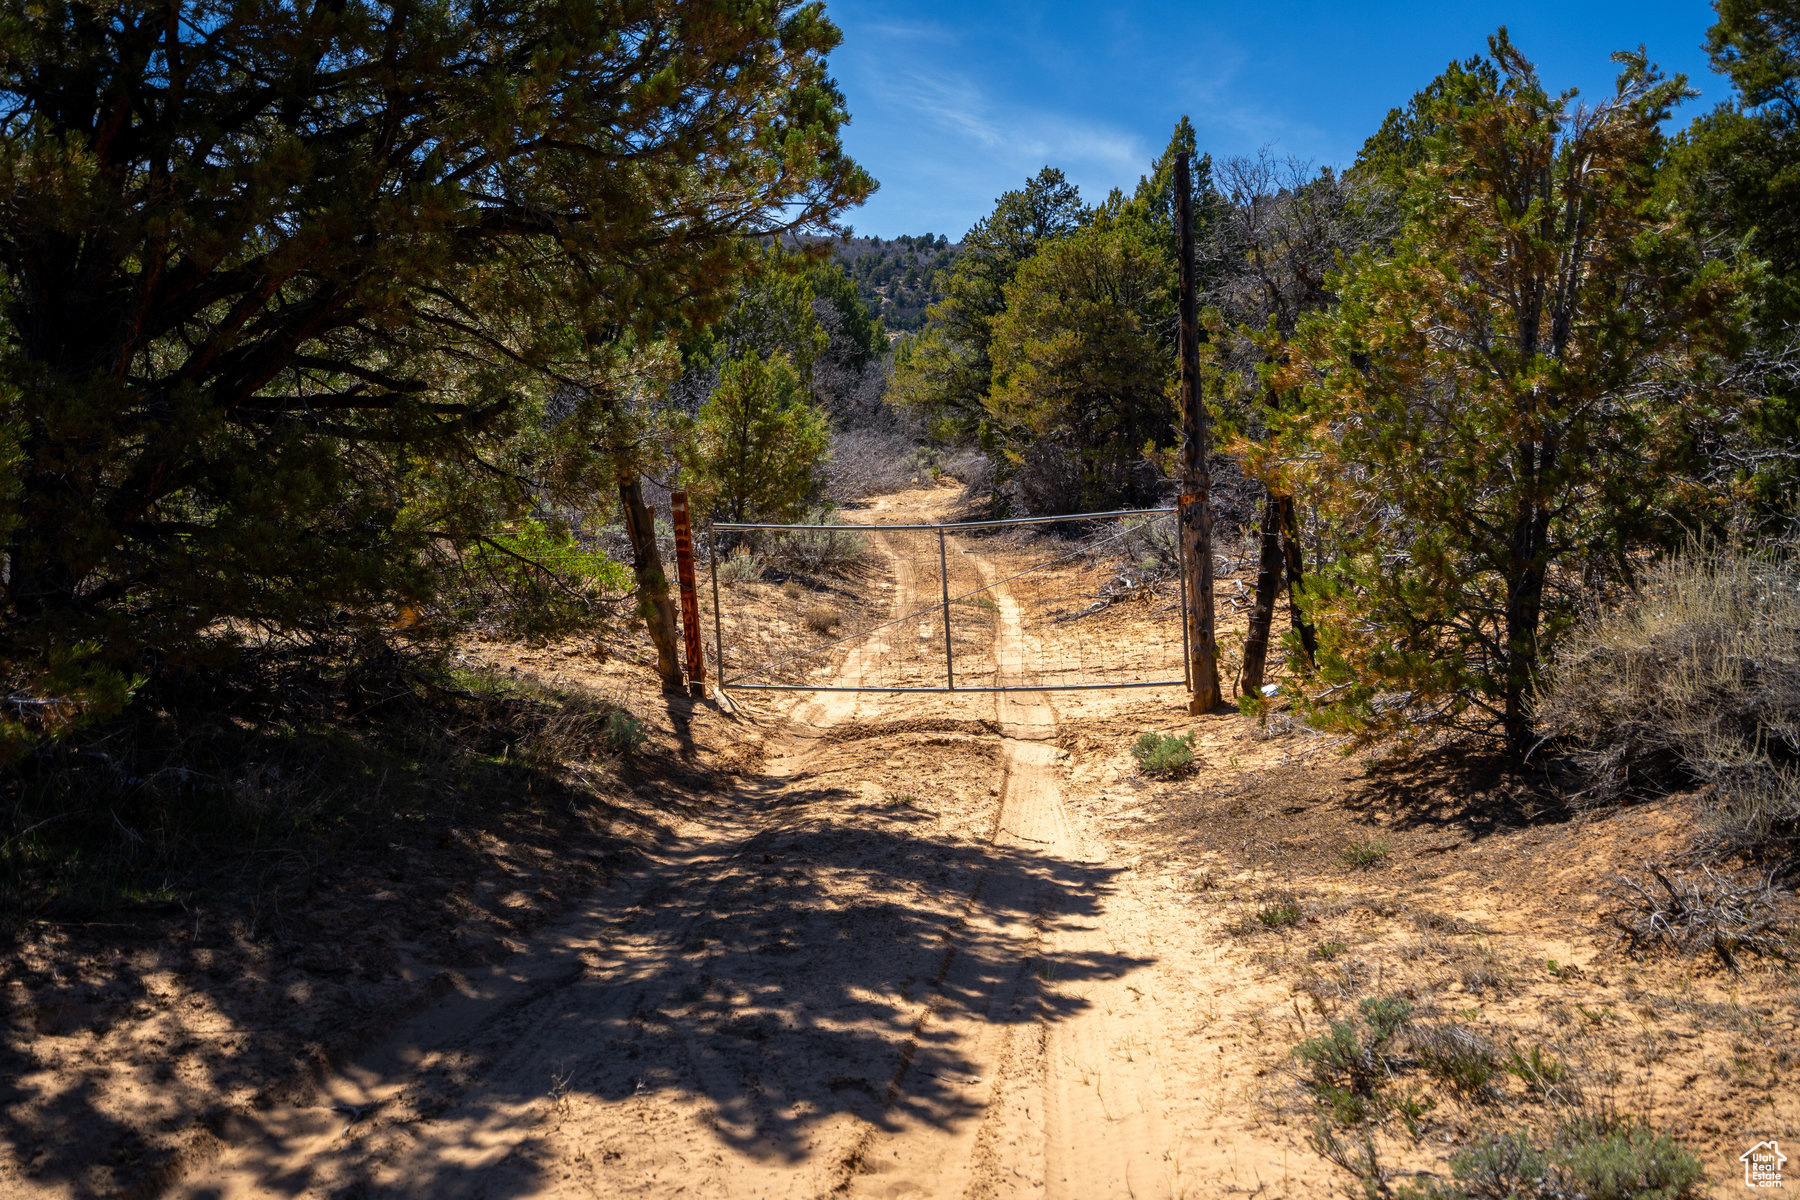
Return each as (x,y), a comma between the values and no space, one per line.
(1032,604)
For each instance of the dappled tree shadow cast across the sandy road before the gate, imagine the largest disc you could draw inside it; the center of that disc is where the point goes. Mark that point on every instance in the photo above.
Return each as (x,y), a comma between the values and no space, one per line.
(782,985)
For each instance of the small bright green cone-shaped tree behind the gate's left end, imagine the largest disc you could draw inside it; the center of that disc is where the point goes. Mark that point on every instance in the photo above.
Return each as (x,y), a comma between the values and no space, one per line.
(760,451)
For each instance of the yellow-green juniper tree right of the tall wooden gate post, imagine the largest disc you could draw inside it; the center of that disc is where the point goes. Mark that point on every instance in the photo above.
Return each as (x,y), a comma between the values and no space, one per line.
(1507,404)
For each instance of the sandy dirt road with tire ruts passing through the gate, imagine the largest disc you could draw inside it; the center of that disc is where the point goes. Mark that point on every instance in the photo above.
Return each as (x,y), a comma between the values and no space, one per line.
(901,967)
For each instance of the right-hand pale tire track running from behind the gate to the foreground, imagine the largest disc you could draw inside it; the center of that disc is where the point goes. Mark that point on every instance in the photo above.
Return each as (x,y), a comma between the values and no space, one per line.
(1072,1104)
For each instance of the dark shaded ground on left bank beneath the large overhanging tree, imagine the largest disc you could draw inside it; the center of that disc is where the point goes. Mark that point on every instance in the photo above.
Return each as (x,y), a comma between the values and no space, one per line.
(231,902)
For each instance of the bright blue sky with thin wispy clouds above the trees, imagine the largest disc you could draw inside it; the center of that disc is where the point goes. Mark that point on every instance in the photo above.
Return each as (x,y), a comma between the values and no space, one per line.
(953,105)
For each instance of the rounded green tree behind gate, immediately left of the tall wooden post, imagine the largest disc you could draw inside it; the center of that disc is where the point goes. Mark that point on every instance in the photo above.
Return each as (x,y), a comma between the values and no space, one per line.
(1083,359)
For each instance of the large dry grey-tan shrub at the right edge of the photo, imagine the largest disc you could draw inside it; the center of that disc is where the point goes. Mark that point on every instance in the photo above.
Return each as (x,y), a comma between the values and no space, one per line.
(1696,679)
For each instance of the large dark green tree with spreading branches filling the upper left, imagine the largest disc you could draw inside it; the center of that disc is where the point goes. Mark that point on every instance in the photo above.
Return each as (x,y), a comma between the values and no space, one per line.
(269,267)
